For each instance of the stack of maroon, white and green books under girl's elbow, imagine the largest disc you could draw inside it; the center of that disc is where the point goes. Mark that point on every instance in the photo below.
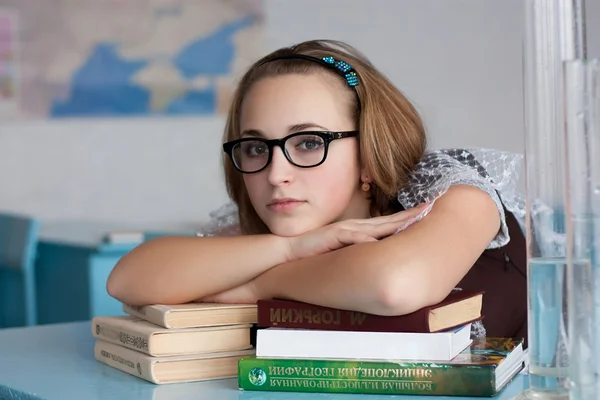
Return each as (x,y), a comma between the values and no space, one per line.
(307,348)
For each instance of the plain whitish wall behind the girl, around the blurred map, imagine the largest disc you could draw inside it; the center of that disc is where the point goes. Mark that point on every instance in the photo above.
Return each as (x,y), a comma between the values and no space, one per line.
(458,60)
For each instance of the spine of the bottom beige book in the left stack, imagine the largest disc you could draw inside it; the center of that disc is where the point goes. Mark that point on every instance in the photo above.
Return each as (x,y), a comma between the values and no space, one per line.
(124,360)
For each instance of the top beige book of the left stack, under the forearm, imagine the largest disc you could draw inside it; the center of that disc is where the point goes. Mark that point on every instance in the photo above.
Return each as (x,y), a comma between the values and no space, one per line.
(192,315)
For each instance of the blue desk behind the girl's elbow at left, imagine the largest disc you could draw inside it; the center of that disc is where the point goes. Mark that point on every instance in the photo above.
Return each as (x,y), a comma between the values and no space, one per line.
(72,267)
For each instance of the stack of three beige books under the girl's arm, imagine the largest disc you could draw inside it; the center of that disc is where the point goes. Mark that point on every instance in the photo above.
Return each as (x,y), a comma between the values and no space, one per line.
(177,343)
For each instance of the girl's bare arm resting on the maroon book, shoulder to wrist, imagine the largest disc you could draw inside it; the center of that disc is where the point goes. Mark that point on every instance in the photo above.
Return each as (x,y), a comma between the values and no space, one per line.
(401,273)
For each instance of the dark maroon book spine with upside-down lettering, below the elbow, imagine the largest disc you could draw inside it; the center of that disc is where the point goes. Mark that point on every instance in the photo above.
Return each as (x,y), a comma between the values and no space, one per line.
(273,313)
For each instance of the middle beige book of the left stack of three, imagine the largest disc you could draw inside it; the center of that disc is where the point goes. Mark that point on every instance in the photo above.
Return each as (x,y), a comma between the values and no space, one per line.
(143,336)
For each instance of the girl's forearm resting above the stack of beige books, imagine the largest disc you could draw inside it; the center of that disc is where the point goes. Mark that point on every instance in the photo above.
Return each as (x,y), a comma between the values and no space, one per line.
(172,270)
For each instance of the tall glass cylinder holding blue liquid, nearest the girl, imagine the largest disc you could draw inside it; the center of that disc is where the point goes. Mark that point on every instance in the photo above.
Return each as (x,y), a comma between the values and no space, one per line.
(553,35)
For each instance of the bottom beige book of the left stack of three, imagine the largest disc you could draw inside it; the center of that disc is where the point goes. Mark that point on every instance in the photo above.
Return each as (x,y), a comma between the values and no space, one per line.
(174,369)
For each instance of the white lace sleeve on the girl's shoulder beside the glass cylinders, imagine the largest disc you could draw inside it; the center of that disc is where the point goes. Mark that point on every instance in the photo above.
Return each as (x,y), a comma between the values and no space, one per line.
(496,172)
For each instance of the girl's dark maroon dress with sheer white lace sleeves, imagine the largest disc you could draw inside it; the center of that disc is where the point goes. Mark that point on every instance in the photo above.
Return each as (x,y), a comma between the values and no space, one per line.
(501,269)
